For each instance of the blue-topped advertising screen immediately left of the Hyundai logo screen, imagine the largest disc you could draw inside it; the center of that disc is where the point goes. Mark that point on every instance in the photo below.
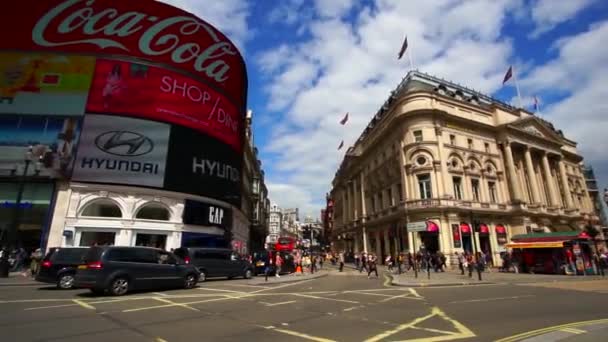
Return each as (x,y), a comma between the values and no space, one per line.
(52,139)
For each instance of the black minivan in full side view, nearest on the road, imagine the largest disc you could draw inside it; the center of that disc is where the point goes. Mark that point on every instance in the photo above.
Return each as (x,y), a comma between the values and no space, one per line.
(118,270)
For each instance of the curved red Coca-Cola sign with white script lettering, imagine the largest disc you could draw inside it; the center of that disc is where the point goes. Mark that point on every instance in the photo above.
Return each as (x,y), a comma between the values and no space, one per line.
(153,31)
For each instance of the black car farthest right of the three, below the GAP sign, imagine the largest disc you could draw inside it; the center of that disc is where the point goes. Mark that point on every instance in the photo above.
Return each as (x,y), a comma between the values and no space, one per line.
(216,262)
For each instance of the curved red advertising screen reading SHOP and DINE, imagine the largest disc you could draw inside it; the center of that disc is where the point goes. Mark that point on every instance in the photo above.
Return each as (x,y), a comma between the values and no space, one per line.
(132,89)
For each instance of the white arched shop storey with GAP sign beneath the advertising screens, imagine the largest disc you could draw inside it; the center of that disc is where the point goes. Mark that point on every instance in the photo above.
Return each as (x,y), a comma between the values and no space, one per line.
(89,215)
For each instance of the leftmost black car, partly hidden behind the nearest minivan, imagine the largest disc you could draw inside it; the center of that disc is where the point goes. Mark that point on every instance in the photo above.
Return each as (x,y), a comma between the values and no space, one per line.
(59,266)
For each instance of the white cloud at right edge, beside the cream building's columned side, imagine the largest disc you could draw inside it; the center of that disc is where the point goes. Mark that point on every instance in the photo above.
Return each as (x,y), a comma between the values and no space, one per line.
(579,72)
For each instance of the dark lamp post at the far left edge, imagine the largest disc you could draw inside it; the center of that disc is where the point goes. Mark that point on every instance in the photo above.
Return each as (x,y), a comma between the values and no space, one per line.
(11,233)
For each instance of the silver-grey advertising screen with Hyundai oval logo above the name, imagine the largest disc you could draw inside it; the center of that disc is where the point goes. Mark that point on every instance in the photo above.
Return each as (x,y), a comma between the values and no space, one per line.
(122,150)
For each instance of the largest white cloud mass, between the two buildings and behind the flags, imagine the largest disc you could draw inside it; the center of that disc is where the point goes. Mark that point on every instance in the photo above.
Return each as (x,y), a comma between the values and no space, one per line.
(346,66)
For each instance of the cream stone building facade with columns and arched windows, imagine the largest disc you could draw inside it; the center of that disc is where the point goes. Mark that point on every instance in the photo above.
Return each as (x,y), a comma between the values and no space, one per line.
(464,171)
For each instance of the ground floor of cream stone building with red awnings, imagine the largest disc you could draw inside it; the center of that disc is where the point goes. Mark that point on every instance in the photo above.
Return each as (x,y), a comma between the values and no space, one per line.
(449,233)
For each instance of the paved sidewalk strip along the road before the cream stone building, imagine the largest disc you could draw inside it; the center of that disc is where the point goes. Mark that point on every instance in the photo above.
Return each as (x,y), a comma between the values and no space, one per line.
(454,278)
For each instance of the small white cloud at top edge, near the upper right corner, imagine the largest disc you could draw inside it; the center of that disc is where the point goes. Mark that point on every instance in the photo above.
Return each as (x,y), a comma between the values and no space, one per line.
(547,14)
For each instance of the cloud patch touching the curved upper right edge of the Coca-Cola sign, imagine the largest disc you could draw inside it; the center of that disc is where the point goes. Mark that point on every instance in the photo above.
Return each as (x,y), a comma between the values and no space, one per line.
(229,16)
